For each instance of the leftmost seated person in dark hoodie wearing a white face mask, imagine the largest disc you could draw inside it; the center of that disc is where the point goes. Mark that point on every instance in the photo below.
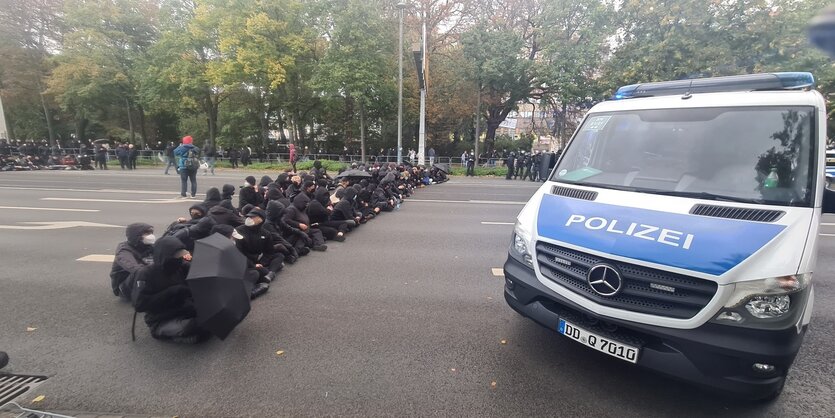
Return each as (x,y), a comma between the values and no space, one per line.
(131,255)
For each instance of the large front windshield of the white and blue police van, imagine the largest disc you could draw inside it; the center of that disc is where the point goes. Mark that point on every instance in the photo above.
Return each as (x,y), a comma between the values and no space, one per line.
(759,155)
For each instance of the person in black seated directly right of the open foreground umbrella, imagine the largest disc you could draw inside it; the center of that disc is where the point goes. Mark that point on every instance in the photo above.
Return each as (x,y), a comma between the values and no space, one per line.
(258,247)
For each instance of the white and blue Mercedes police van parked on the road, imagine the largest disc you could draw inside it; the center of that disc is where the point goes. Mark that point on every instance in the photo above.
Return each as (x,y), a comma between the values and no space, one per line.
(679,230)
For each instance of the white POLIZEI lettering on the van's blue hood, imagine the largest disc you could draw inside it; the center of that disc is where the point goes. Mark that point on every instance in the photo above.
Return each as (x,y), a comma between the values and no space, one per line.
(635,230)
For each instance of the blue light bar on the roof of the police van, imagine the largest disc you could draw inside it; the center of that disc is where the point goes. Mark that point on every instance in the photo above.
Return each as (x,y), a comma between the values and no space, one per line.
(750,82)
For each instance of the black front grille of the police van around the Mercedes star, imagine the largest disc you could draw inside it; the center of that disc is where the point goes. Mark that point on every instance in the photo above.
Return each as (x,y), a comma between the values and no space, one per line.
(645,290)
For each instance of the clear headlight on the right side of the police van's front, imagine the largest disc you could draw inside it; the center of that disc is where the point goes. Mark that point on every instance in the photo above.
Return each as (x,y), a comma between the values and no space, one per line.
(766,302)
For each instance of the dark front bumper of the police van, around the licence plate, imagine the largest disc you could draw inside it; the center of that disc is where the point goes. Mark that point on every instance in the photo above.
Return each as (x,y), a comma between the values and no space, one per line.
(715,356)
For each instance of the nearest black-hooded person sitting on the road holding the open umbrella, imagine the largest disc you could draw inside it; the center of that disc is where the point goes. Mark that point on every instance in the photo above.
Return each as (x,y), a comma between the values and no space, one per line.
(163,295)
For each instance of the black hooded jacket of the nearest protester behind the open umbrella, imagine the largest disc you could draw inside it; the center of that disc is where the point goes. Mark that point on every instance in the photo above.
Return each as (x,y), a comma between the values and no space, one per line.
(161,290)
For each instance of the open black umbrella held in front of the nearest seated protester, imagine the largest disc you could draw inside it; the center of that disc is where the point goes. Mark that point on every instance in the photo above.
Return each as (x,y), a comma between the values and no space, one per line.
(216,280)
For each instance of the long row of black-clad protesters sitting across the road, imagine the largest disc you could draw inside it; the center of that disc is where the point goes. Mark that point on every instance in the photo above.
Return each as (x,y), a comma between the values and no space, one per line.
(275,223)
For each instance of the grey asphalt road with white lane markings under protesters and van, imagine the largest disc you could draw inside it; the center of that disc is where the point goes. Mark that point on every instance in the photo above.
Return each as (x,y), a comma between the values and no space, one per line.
(405,318)
